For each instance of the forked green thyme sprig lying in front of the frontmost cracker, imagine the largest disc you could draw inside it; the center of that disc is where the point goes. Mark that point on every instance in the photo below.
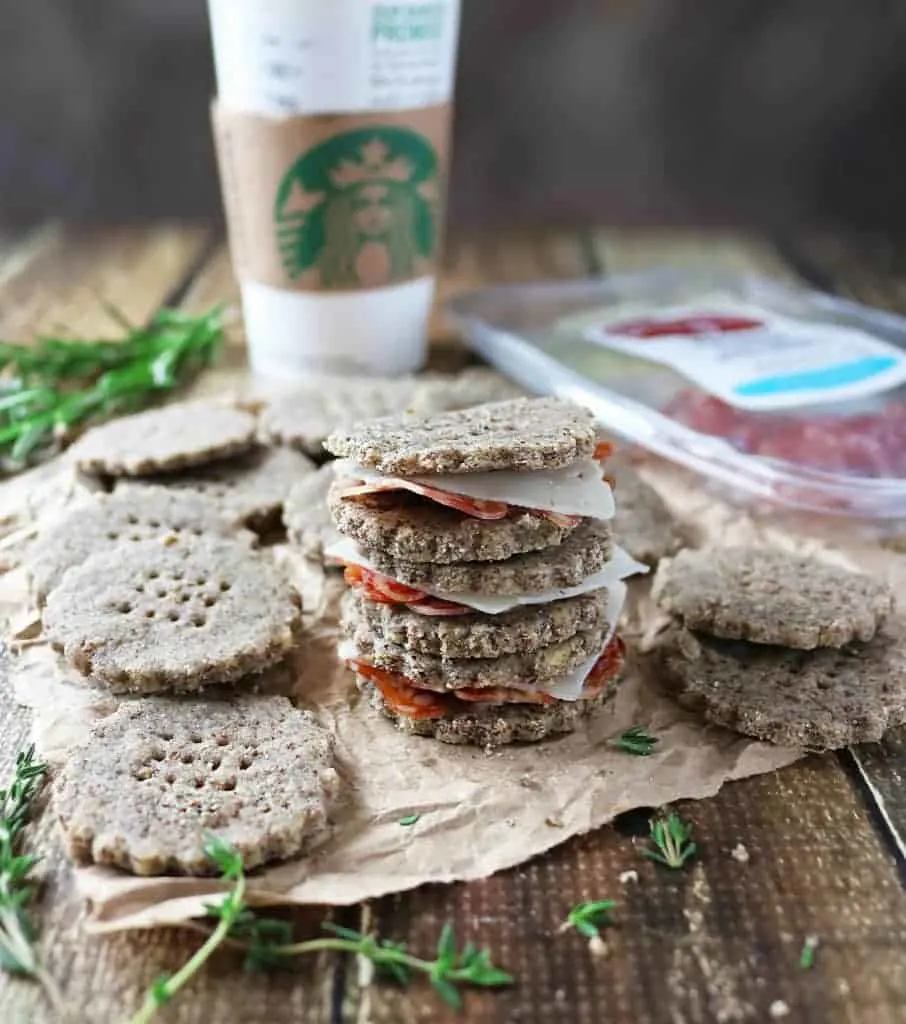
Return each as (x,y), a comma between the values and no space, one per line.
(269,944)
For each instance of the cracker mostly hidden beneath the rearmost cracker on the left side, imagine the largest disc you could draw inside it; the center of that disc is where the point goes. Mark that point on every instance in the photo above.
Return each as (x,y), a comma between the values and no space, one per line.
(249,491)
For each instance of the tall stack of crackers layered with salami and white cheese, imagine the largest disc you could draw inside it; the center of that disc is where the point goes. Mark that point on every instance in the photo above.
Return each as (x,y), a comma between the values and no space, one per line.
(485,583)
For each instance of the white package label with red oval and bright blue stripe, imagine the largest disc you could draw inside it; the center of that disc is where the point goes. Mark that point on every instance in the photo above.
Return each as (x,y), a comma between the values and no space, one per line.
(757,360)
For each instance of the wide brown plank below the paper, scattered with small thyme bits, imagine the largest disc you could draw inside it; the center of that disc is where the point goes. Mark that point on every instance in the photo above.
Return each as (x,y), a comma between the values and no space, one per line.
(719,942)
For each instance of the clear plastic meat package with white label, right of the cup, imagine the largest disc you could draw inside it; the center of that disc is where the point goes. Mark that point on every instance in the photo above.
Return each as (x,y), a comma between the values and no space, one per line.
(776,392)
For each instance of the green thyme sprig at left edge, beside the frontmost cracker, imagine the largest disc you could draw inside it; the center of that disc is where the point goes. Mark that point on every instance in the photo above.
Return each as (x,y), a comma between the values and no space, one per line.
(18,954)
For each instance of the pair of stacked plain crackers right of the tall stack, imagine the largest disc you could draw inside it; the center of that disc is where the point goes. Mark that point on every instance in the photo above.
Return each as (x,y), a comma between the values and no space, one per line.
(783,648)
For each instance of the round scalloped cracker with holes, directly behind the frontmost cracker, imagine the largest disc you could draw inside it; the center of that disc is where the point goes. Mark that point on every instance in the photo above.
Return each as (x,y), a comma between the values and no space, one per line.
(159,616)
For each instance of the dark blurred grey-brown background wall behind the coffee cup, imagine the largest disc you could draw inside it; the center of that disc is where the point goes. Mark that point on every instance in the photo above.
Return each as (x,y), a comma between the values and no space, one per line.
(775,113)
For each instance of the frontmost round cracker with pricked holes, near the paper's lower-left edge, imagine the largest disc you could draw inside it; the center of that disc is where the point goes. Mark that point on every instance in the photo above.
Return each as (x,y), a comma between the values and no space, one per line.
(158,777)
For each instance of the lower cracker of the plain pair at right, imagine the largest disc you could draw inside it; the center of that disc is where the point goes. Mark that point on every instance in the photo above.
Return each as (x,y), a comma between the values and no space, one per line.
(822,700)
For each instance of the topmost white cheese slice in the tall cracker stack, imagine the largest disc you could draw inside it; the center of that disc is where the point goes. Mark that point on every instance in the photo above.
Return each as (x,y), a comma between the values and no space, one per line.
(576,490)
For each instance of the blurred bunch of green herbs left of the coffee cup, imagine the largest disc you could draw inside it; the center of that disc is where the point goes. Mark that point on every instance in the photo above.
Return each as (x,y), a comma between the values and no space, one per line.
(56,386)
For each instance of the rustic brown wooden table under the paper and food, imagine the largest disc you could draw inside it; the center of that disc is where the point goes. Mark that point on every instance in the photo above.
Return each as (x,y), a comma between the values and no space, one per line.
(718,943)
